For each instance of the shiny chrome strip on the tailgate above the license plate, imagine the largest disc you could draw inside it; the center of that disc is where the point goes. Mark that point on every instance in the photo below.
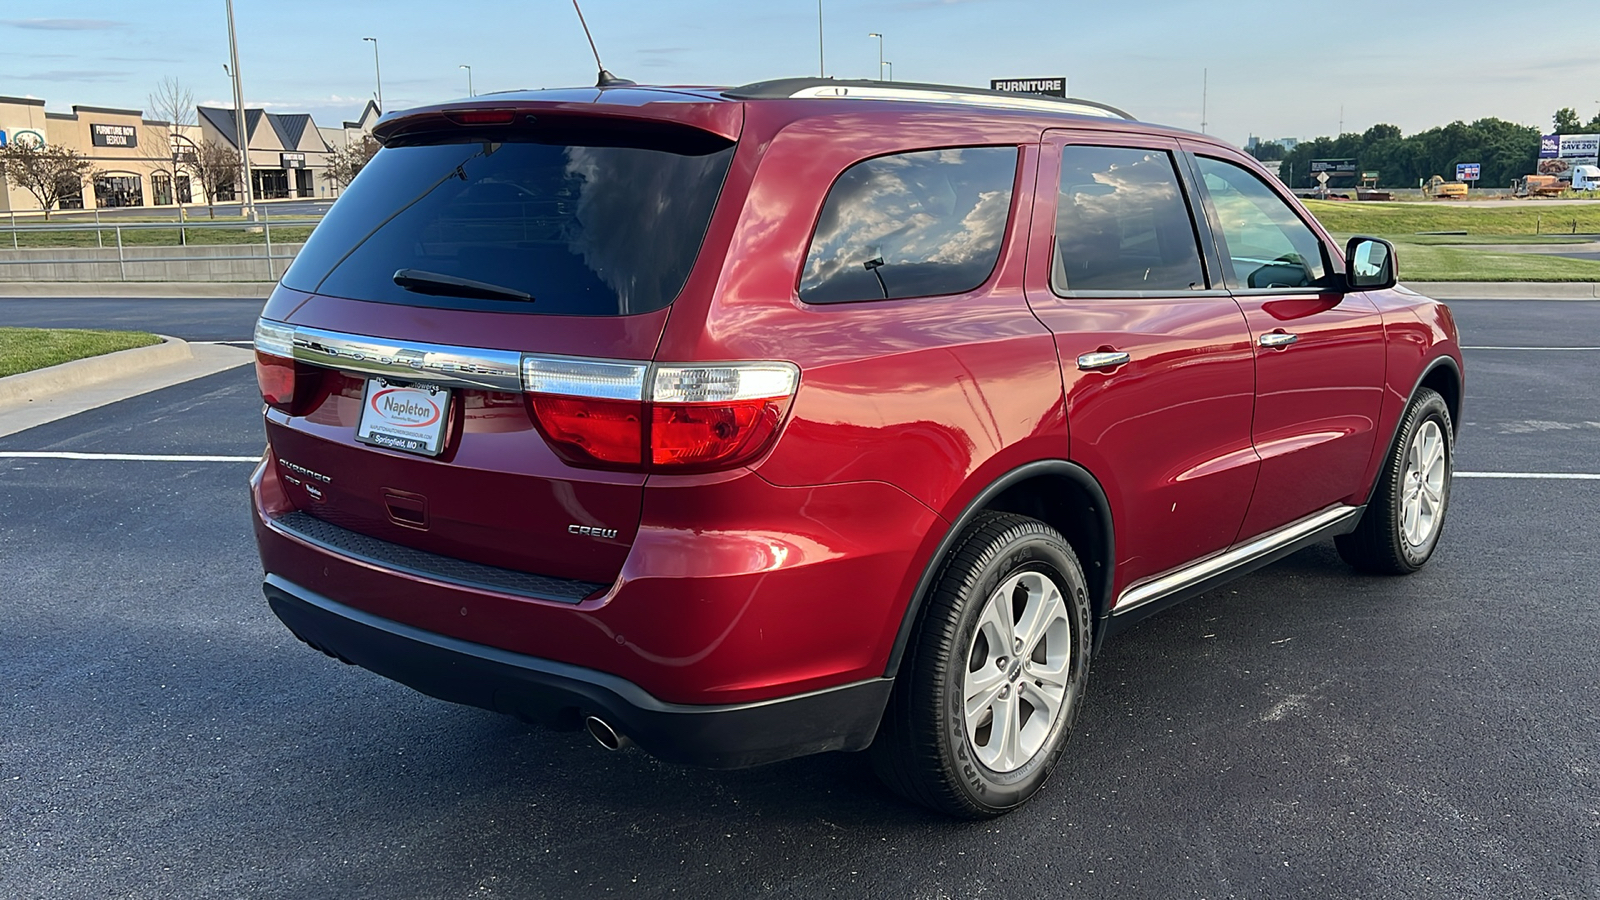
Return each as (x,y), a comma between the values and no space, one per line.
(410,361)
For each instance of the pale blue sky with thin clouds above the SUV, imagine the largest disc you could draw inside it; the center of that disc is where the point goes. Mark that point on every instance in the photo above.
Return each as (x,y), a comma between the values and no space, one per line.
(1247,66)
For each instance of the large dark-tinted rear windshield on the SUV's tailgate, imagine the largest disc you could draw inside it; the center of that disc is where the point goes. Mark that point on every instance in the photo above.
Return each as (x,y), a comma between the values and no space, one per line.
(582,230)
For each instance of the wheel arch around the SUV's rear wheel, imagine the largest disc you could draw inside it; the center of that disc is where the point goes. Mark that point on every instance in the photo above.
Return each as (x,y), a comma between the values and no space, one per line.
(1063,496)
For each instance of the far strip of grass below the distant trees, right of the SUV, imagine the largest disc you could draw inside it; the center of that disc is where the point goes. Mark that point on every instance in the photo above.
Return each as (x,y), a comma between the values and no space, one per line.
(1410,219)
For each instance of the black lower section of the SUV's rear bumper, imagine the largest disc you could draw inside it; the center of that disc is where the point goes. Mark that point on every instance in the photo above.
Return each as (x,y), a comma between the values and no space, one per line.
(561,696)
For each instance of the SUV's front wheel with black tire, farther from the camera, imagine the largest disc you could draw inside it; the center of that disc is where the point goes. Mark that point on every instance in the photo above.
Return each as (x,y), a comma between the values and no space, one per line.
(1407,513)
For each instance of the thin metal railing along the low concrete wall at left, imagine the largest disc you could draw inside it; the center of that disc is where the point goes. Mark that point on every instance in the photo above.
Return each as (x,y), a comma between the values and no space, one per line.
(122,262)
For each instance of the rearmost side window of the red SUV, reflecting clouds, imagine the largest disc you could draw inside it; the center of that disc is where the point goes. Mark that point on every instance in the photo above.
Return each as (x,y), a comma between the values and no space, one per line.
(926,223)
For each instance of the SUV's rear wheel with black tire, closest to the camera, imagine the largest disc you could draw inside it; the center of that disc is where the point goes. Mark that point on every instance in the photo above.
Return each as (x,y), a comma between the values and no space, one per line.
(1006,573)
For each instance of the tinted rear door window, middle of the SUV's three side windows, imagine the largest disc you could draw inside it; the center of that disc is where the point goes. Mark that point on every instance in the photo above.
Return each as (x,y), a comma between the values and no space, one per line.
(1122,225)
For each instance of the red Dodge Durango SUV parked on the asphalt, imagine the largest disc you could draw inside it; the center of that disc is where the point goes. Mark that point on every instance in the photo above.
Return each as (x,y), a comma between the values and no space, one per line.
(822,416)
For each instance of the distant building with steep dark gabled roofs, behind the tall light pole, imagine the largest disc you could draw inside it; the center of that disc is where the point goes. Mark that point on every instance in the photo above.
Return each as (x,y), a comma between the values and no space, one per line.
(287,151)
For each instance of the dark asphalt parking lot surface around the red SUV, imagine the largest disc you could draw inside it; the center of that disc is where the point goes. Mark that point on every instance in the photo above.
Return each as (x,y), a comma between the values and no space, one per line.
(1302,733)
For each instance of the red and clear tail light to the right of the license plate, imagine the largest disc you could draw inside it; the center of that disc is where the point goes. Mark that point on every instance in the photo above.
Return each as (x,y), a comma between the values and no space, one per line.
(692,419)
